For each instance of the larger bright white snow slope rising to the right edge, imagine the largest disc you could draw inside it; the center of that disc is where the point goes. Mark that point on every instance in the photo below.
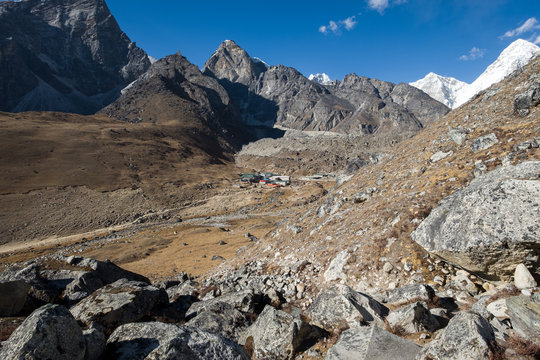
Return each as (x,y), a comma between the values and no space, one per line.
(515,56)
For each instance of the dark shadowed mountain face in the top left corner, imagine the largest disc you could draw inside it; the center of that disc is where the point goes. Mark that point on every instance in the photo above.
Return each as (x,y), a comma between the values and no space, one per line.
(64,55)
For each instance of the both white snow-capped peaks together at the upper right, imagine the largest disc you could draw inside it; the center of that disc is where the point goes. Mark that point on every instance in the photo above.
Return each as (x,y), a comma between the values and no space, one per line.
(454,93)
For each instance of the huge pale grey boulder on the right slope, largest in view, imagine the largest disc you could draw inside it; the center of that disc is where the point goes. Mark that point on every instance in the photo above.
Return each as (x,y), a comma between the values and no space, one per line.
(491,225)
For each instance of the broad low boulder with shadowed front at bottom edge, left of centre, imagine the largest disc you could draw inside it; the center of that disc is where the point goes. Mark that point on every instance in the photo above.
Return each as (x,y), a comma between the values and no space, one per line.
(153,340)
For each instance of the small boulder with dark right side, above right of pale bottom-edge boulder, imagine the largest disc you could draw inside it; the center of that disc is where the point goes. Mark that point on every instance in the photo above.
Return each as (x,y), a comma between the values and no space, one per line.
(413,318)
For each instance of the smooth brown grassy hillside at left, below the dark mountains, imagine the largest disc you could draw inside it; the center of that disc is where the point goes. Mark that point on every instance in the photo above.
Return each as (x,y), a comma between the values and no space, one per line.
(65,173)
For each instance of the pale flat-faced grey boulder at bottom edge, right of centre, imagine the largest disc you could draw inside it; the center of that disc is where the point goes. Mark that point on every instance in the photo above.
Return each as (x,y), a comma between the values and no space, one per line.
(371,343)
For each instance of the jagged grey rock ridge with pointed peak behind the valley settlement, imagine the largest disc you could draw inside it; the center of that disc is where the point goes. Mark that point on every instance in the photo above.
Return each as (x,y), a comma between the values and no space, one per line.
(281,95)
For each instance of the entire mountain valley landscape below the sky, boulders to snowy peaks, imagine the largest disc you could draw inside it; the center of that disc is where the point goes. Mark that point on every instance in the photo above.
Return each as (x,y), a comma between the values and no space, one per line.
(150,209)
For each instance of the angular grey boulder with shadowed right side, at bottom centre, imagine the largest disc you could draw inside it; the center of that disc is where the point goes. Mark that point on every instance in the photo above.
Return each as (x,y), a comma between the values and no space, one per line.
(278,335)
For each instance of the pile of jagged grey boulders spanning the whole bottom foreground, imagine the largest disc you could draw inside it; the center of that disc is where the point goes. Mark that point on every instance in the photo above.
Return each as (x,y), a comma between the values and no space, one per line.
(87,309)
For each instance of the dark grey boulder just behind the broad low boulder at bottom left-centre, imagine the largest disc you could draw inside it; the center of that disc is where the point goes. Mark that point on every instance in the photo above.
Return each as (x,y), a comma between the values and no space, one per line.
(220,318)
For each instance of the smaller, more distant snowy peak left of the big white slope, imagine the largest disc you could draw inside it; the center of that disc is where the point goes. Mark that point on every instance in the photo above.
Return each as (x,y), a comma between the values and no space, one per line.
(441,88)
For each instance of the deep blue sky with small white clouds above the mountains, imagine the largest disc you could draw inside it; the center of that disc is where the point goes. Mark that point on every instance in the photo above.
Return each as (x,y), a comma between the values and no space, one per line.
(392,40)
